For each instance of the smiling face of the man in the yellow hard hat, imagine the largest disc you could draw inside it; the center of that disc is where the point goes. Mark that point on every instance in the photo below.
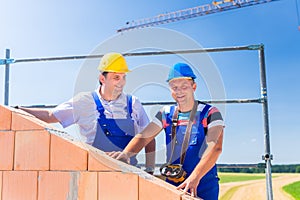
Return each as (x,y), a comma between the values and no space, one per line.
(112,85)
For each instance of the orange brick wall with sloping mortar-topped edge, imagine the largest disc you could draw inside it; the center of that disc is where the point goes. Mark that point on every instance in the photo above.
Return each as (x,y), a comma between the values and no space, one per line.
(39,162)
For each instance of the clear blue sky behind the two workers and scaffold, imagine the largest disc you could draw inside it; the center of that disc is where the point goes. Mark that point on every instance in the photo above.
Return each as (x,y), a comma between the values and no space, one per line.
(33,29)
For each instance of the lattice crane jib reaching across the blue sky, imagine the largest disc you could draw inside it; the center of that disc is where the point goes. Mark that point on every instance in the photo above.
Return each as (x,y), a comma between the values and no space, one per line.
(214,7)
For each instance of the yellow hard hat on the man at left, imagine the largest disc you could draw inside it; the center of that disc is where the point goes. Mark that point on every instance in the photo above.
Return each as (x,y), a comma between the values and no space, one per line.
(113,62)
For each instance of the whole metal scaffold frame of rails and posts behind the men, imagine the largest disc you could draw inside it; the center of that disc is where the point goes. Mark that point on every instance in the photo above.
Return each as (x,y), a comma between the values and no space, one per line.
(263,99)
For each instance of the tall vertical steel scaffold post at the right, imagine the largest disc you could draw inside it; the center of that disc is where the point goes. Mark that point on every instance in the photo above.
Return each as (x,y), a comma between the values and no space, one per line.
(267,157)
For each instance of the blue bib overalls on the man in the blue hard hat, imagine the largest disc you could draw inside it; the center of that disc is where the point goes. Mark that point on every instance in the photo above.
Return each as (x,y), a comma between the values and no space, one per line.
(208,188)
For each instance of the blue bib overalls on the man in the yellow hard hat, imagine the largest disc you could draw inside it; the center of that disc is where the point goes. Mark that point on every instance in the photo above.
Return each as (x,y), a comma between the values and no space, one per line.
(114,134)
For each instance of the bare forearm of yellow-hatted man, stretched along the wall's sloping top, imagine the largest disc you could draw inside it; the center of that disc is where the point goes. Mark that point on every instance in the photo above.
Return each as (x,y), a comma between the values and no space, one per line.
(42,114)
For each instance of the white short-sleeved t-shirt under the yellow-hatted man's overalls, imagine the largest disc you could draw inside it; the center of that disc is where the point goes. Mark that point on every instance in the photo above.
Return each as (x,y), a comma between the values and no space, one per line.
(82,110)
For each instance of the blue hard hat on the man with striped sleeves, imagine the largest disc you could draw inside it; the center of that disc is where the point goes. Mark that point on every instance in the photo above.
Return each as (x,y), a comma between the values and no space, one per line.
(181,70)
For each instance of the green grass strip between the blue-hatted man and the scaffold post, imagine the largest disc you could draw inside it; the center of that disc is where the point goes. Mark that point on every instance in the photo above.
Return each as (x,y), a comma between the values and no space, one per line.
(236,177)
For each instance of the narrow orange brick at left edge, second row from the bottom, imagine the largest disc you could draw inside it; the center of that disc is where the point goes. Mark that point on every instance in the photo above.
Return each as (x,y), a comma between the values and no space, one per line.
(7,141)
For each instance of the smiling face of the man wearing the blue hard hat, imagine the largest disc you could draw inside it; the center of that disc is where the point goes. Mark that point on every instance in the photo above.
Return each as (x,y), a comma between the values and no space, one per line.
(182,90)
